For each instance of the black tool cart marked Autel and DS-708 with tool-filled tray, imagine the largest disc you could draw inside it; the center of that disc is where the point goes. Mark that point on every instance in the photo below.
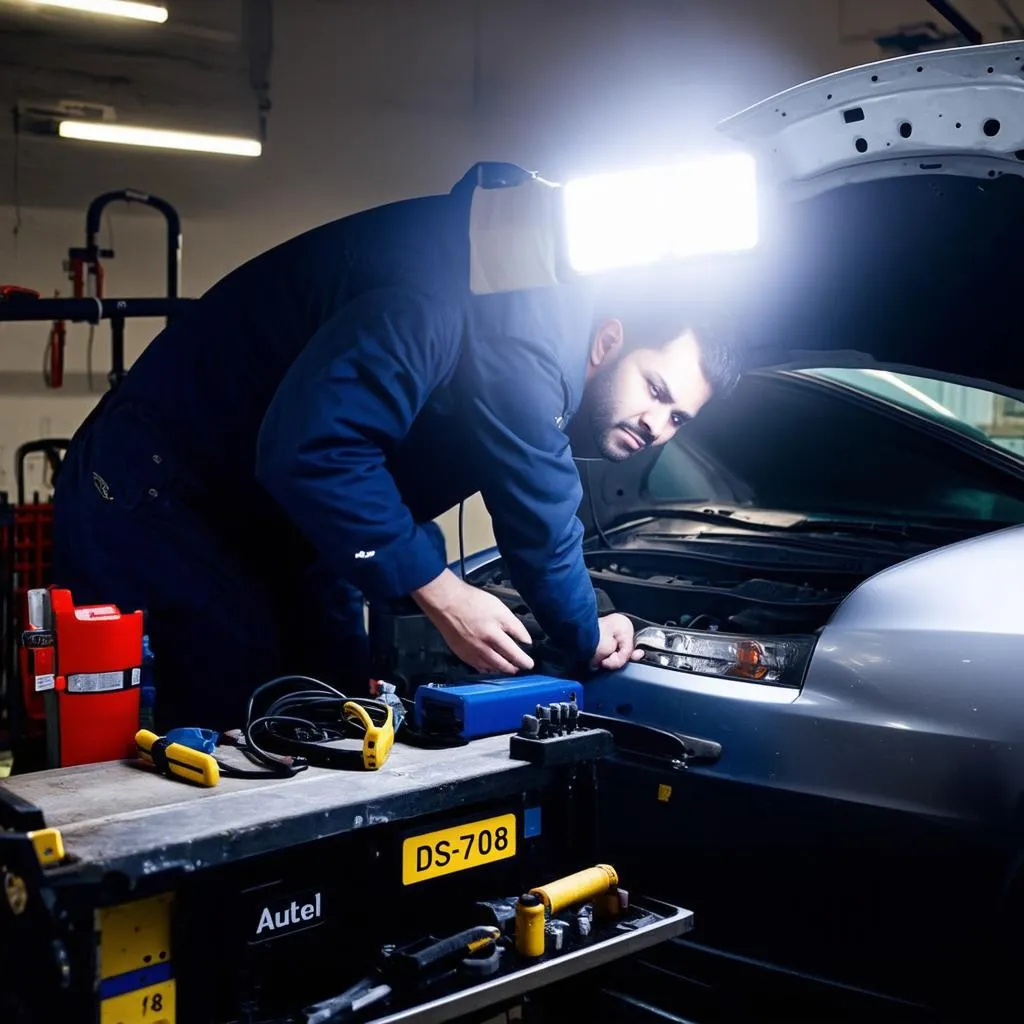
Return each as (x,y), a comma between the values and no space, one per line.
(448,885)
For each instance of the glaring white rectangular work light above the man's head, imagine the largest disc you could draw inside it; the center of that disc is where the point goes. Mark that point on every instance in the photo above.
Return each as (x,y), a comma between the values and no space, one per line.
(637,219)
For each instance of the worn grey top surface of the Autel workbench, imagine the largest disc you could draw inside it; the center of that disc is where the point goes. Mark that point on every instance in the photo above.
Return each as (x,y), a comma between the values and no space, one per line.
(121,817)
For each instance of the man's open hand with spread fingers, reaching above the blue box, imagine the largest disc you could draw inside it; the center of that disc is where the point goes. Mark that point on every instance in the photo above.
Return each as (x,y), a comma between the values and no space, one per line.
(478,627)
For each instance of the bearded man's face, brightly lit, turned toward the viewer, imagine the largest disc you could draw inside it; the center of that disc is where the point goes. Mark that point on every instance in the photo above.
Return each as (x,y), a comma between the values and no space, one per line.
(639,400)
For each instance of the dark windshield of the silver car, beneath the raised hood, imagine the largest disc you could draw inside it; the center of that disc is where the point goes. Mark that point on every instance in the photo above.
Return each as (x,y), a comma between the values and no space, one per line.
(787,443)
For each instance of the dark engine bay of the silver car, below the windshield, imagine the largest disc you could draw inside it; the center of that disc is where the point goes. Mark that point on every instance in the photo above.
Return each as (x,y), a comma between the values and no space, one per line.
(739,587)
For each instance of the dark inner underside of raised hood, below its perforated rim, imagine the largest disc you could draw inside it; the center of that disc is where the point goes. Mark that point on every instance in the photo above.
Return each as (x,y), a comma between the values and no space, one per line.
(916,275)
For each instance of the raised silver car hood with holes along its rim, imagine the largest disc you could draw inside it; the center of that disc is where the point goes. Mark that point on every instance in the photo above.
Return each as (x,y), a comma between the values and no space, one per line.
(892,222)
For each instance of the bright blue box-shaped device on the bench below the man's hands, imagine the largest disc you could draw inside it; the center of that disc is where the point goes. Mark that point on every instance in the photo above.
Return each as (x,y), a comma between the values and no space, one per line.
(490,707)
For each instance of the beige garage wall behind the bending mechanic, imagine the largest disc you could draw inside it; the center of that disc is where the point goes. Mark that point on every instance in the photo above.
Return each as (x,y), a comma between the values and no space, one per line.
(379,100)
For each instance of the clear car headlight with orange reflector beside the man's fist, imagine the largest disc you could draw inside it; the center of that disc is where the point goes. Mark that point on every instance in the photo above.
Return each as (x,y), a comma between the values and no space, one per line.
(776,661)
